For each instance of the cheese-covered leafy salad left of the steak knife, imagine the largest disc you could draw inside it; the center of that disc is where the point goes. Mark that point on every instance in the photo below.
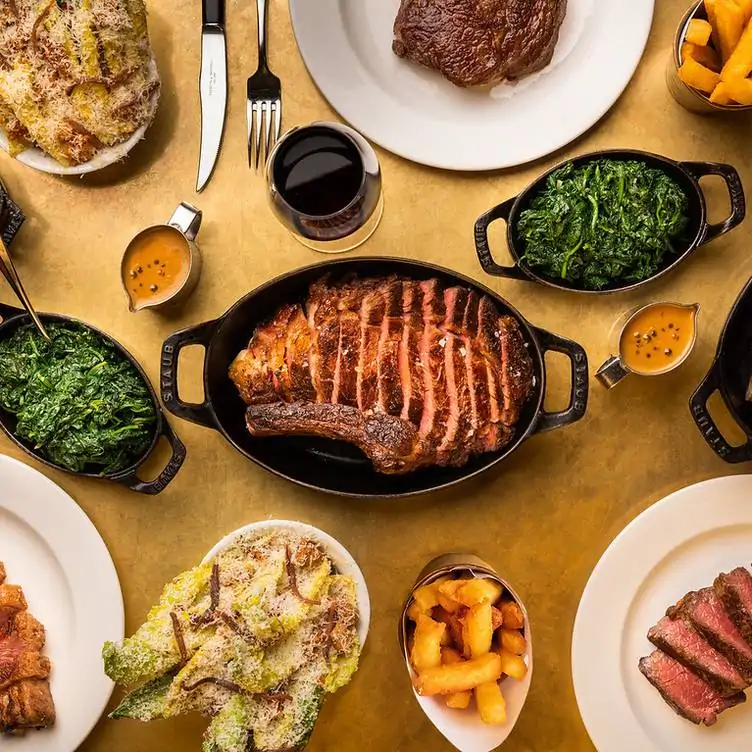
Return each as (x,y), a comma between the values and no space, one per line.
(76,76)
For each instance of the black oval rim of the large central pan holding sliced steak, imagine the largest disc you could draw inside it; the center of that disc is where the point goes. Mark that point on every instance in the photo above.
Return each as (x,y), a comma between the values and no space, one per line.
(331,266)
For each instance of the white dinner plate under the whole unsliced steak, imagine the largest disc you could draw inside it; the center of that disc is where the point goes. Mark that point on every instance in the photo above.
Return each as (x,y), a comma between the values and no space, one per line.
(416,113)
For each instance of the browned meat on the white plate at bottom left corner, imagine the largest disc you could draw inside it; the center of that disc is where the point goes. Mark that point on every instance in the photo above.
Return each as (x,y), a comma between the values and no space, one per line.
(25,698)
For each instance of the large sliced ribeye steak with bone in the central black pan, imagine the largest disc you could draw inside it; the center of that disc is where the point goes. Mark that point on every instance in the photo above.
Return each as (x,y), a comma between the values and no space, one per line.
(412,372)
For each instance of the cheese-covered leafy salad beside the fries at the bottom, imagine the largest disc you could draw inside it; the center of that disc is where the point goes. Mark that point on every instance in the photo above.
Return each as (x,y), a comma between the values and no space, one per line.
(254,638)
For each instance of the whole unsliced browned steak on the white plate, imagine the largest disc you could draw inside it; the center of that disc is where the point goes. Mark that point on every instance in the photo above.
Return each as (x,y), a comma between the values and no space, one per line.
(479,43)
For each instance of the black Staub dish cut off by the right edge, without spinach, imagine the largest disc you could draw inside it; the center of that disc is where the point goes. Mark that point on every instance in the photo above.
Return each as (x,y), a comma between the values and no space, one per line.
(730,375)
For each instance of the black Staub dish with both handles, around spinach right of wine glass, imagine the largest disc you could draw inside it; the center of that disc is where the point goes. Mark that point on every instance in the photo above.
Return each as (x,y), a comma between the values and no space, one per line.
(686,174)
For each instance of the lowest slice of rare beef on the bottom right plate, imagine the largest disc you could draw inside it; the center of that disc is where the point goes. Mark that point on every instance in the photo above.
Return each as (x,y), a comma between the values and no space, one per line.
(689,696)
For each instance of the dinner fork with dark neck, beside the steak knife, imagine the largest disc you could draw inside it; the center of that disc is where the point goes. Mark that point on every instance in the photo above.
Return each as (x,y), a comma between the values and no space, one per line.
(264,101)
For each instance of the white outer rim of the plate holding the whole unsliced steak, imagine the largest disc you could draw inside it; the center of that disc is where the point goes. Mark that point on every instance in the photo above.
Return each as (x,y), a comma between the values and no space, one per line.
(621,70)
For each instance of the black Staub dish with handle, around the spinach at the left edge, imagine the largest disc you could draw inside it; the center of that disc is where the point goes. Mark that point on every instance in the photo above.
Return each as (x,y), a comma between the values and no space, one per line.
(13,318)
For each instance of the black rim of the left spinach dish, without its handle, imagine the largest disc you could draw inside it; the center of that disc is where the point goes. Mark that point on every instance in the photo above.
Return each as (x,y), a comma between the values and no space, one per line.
(17,320)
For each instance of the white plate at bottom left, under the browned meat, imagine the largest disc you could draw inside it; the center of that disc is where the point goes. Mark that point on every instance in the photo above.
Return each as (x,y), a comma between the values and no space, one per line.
(53,551)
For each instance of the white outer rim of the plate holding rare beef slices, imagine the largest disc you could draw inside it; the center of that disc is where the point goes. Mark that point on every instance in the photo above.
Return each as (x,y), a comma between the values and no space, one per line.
(677,518)
